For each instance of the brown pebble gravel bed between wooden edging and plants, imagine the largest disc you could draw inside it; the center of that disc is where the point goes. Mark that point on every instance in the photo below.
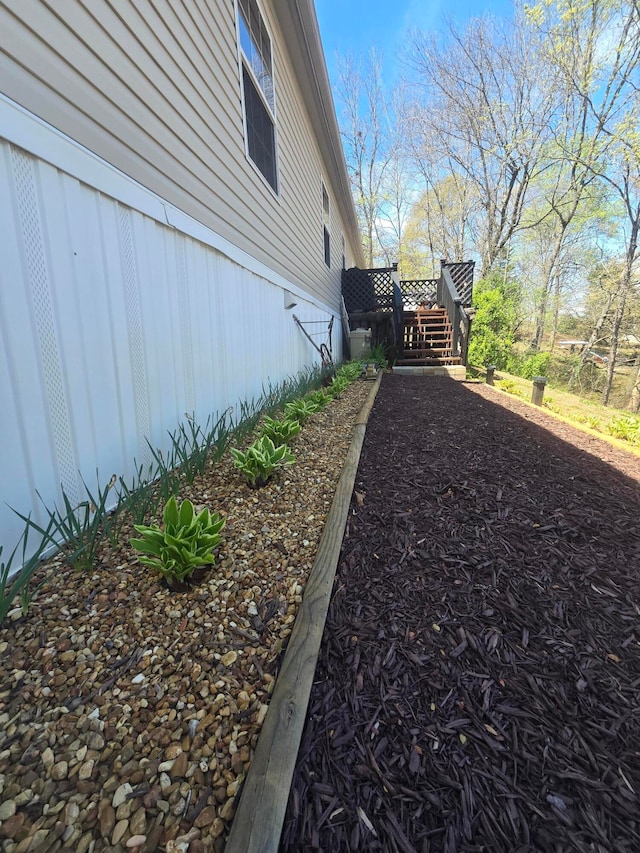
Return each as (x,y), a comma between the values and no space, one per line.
(129,713)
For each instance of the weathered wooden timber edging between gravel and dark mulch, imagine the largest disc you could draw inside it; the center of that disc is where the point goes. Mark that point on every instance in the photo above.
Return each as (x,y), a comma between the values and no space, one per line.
(257,824)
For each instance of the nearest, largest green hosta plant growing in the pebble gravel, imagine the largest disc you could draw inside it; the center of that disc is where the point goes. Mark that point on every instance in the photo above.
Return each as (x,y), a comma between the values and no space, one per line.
(187,541)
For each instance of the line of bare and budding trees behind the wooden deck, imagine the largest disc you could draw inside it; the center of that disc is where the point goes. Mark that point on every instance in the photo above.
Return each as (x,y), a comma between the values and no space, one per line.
(516,143)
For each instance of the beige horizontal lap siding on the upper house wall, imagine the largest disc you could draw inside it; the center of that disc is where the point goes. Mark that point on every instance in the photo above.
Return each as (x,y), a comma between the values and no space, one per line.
(153,87)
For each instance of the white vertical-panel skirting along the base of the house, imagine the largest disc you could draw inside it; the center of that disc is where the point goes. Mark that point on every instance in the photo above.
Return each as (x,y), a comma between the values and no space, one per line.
(118,315)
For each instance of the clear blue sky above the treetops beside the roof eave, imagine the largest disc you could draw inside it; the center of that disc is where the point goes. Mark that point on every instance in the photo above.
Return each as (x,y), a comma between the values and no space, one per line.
(353,26)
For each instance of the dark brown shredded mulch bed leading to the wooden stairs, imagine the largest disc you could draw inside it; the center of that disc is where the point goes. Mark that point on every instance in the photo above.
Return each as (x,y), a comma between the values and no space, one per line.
(479,682)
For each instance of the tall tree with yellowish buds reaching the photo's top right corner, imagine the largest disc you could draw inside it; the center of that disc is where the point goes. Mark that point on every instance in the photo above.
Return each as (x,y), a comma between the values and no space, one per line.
(593,48)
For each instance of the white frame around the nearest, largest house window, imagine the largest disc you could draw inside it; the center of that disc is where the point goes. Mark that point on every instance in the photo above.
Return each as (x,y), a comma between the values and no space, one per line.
(245,67)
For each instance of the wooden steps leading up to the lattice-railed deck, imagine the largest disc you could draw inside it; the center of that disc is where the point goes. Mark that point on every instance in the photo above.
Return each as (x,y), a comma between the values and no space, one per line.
(428,338)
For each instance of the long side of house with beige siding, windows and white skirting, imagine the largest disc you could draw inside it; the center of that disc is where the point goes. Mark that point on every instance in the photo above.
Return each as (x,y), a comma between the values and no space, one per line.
(172,184)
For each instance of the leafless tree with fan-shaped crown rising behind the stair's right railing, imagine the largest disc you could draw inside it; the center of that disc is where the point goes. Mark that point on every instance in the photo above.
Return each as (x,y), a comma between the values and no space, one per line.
(488,108)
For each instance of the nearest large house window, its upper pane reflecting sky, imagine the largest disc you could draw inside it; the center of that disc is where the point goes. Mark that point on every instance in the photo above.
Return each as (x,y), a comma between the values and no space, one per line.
(257,86)
